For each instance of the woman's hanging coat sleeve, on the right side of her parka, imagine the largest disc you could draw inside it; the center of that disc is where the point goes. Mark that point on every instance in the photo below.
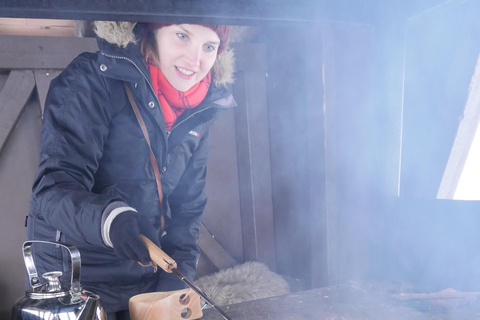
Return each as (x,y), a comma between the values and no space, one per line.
(187,202)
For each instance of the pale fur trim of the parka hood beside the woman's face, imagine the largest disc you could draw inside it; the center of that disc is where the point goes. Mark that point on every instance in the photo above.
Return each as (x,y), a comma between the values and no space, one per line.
(122,34)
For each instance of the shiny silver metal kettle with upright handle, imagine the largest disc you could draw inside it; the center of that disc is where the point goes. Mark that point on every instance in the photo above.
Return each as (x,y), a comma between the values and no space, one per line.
(51,300)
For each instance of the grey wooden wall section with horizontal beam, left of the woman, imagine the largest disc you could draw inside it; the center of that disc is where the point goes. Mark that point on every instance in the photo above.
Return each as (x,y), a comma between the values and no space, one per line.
(27,66)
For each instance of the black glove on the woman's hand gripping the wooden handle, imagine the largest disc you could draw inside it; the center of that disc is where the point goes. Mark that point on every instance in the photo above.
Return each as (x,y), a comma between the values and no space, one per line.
(124,234)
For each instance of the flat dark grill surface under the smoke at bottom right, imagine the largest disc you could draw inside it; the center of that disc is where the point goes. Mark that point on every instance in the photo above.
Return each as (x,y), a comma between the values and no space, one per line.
(344,302)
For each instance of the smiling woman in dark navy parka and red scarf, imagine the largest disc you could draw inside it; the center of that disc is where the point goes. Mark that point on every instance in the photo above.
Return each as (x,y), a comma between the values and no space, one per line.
(96,187)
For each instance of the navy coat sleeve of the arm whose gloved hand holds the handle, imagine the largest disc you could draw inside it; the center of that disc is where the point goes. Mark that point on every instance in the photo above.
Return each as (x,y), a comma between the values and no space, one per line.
(75,126)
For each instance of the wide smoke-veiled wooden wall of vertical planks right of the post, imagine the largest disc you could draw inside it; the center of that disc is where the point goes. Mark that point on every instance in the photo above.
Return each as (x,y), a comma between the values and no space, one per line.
(319,108)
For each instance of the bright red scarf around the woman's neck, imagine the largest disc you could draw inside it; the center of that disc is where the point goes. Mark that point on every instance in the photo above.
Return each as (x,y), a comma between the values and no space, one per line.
(172,101)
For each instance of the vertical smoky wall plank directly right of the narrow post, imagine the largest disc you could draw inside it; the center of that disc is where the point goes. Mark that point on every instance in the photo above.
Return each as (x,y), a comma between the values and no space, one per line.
(289,158)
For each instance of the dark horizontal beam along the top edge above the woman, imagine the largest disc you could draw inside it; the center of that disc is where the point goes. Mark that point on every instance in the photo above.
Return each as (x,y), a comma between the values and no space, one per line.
(185,11)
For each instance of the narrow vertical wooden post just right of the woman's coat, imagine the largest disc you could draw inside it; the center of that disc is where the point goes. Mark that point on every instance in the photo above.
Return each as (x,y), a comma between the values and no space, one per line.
(254,168)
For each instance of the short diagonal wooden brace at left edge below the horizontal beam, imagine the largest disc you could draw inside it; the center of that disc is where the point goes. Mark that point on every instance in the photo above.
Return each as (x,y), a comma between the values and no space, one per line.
(13,97)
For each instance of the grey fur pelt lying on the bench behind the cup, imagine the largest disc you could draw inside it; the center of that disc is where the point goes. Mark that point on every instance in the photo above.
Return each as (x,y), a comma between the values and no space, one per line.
(245,282)
